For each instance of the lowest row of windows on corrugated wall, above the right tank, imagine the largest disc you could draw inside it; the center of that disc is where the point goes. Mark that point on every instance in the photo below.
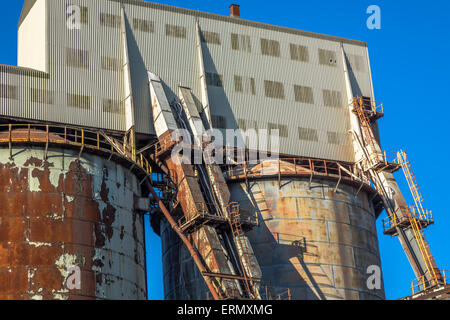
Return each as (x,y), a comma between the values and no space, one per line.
(305,134)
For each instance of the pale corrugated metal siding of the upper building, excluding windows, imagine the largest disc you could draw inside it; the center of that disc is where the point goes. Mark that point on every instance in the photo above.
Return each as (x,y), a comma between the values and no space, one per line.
(175,61)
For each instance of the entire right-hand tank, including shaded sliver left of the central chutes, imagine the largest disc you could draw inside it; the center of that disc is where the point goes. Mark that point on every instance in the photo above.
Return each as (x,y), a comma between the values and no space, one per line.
(316,237)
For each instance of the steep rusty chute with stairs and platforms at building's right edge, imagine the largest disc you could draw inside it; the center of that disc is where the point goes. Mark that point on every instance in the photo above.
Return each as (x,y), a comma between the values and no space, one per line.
(405,222)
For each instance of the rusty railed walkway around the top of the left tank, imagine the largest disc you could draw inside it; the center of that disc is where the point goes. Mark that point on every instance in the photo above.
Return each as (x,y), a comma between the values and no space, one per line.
(72,136)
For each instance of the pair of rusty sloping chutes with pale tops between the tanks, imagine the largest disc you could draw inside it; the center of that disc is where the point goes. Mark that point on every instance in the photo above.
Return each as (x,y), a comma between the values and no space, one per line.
(210,227)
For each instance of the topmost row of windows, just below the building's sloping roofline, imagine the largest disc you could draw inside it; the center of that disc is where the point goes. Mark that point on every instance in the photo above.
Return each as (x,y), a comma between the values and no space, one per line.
(238,41)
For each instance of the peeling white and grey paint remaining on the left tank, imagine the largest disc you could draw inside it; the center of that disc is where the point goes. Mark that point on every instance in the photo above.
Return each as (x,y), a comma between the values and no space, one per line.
(120,272)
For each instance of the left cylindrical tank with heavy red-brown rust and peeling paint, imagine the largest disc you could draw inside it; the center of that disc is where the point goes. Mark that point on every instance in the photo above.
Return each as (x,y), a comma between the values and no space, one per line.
(61,214)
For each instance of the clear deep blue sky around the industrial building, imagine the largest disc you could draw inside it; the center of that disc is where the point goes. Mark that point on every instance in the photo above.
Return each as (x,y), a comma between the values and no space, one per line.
(411,74)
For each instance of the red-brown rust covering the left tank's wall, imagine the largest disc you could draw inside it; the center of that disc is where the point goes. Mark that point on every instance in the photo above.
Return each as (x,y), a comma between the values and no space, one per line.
(41,224)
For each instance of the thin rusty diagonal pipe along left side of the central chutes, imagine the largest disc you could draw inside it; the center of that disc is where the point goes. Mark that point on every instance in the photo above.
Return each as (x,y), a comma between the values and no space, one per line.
(185,240)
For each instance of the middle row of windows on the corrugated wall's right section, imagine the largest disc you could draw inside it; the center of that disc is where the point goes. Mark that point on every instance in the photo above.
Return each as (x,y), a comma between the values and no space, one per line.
(273,89)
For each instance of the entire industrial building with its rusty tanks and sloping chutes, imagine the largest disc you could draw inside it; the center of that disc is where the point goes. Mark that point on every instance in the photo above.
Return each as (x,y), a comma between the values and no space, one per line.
(86,133)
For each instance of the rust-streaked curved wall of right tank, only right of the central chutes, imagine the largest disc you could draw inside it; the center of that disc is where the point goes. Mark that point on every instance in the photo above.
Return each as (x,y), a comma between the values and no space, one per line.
(313,238)
